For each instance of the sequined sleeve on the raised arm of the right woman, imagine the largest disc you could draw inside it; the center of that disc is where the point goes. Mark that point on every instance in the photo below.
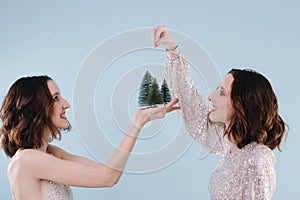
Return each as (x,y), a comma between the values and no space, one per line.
(194,107)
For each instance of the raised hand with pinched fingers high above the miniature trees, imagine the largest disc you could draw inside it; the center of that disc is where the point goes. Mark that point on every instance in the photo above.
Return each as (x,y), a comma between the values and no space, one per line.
(160,35)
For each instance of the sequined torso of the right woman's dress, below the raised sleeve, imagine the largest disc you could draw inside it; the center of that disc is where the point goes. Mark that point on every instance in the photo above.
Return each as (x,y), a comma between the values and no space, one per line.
(247,174)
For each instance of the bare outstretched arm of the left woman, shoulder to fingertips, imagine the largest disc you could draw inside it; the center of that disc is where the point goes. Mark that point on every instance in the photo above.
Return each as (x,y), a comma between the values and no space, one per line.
(67,169)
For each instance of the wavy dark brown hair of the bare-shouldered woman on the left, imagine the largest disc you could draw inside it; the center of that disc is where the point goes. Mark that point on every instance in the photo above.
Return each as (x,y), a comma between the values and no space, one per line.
(25,113)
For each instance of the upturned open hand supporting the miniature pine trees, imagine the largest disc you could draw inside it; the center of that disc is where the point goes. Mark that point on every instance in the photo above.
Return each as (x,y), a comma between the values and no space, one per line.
(143,116)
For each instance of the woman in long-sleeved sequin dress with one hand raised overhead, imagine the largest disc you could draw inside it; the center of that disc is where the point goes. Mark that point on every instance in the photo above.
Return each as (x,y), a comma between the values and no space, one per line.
(243,126)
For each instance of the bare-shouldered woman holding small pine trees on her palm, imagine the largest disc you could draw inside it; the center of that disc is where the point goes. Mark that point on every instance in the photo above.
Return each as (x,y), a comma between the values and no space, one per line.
(33,112)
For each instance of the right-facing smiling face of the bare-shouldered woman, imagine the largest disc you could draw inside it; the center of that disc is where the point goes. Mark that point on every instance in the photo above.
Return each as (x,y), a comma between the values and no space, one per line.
(60,105)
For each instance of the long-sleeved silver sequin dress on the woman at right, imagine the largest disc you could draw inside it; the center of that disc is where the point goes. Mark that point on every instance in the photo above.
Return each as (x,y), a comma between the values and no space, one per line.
(248,173)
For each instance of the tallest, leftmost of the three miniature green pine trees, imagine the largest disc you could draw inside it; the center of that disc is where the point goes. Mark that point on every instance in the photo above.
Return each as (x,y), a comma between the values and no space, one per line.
(145,88)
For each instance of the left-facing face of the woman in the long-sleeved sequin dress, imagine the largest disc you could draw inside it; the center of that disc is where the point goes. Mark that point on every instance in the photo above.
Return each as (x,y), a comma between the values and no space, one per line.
(222,109)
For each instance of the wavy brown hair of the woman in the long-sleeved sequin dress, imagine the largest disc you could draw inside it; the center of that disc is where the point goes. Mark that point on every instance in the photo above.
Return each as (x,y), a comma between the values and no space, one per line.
(255,106)
